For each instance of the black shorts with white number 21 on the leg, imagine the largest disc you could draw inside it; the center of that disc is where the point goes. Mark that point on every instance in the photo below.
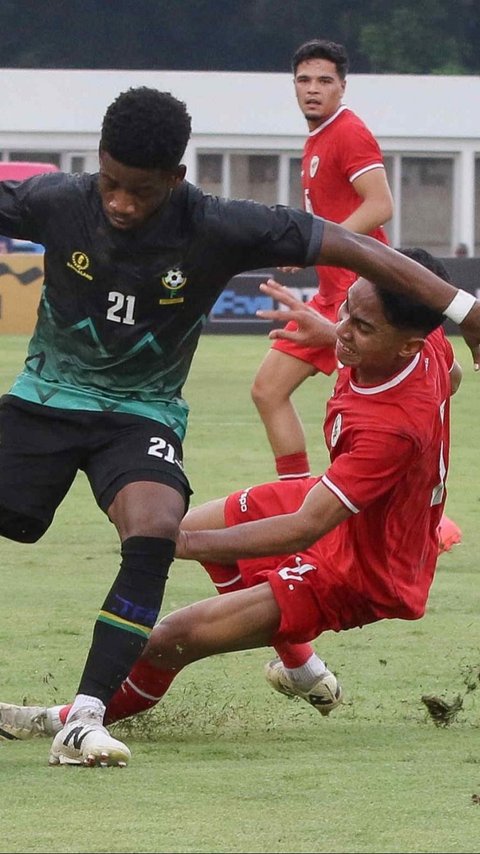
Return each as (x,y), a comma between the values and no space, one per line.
(43,448)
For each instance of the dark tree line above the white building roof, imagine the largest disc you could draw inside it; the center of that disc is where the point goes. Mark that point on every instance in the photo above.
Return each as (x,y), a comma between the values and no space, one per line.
(402,37)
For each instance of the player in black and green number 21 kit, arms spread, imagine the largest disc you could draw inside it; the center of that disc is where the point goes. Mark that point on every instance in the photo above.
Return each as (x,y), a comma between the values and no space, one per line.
(135,258)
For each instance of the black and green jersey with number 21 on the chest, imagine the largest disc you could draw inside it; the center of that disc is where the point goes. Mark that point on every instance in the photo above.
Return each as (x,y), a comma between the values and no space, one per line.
(121,311)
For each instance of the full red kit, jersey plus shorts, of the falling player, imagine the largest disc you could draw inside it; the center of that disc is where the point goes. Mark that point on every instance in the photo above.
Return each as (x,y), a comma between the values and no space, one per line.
(389,448)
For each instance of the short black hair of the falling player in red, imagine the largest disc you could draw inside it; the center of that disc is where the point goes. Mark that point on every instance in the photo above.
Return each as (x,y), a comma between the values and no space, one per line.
(404,313)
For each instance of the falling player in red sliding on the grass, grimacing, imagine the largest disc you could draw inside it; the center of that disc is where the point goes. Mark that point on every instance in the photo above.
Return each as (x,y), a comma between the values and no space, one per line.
(335,552)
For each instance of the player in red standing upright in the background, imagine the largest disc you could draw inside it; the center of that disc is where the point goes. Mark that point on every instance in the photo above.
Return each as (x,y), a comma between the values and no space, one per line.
(344,180)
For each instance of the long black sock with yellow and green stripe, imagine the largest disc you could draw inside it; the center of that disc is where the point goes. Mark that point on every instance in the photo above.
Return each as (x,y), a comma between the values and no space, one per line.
(128,615)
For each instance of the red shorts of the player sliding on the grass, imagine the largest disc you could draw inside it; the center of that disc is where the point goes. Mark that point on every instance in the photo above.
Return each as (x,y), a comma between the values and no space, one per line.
(311,593)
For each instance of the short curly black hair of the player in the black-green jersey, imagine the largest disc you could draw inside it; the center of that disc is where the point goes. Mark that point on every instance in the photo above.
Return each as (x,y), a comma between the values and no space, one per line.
(147,129)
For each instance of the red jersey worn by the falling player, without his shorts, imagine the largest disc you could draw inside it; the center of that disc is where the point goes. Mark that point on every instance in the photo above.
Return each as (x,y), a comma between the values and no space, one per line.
(389,448)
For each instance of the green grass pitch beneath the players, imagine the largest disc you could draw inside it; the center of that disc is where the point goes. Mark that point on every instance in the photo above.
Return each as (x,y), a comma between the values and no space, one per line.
(224,764)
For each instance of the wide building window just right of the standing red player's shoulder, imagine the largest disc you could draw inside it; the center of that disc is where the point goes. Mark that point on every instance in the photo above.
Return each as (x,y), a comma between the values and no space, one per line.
(426,209)
